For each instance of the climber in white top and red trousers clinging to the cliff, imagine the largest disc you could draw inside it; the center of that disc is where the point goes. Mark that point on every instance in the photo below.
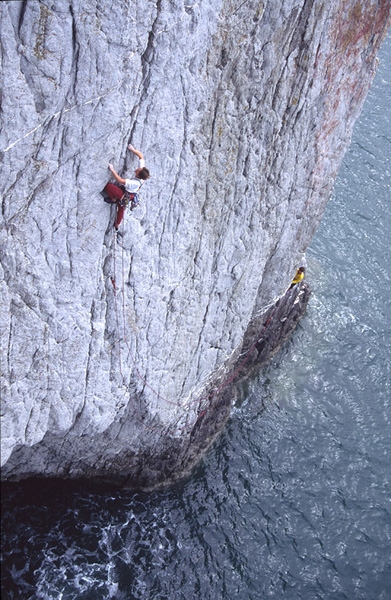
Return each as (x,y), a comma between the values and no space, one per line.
(128,188)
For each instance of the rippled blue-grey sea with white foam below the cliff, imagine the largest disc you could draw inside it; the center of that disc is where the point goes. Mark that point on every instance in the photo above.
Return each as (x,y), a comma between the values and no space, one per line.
(294,500)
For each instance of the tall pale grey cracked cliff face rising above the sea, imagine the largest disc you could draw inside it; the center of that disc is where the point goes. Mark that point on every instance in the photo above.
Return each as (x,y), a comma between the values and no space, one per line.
(243,111)
